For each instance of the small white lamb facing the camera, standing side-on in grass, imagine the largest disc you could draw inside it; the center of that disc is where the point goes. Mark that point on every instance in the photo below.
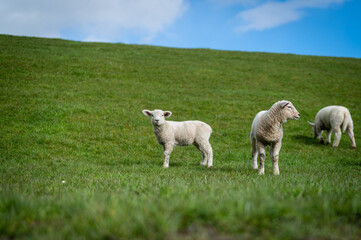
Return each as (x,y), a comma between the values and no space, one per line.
(170,133)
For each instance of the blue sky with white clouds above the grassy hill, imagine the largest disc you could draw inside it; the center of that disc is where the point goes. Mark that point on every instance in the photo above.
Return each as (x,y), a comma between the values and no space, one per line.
(308,27)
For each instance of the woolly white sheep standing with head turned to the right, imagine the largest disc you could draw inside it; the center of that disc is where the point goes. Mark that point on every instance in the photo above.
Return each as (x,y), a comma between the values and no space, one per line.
(267,130)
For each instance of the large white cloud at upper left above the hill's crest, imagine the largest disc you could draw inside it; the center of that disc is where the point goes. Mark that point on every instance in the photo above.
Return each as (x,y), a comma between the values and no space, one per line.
(103,20)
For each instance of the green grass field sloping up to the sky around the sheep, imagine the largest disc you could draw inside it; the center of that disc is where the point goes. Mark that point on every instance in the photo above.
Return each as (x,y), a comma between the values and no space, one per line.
(71,111)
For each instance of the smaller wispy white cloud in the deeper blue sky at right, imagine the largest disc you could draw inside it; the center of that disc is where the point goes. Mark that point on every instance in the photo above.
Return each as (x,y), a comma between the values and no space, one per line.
(273,14)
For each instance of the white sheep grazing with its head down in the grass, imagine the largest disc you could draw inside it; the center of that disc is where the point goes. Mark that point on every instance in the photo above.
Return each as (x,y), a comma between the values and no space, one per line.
(333,118)
